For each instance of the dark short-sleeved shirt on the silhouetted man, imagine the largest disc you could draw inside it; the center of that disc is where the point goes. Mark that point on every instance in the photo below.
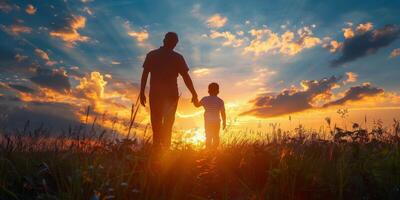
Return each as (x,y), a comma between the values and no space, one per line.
(164,65)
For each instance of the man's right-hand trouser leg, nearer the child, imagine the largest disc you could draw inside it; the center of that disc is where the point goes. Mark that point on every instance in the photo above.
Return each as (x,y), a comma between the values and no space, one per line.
(170,106)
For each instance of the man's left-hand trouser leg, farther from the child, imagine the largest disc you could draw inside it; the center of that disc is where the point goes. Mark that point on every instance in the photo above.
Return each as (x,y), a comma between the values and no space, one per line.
(156,113)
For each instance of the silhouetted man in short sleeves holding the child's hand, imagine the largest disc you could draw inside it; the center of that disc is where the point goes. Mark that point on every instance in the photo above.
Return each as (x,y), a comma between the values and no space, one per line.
(164,65)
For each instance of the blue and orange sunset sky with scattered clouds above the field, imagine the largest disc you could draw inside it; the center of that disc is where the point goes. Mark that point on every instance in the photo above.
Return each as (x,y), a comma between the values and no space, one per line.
(290,61)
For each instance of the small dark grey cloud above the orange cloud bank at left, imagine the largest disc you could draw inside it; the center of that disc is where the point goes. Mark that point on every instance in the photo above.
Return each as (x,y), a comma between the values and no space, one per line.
(53,79)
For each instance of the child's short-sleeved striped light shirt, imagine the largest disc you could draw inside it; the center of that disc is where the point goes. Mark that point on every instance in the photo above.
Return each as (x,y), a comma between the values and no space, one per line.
(213,105)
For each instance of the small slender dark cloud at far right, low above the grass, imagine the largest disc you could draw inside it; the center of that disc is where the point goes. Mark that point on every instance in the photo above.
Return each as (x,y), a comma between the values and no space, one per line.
(356,93)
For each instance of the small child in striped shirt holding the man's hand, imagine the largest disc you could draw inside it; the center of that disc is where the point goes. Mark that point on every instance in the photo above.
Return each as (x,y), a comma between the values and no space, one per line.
(214,107)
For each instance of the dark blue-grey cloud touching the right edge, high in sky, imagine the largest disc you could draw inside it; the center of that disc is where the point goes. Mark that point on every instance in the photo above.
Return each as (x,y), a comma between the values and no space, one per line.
(366,43)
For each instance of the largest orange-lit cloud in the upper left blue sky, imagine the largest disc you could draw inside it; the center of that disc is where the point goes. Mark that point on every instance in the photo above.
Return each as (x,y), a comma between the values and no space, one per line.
(69,33)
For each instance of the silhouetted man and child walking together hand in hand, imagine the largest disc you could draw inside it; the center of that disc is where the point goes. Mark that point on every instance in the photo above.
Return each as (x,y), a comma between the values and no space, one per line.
(164,65)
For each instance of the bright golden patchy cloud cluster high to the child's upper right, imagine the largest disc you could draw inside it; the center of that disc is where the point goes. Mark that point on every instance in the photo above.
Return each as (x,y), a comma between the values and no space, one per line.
(266,41)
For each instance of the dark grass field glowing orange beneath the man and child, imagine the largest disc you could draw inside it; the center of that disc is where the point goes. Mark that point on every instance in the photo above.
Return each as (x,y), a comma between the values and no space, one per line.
(352,164)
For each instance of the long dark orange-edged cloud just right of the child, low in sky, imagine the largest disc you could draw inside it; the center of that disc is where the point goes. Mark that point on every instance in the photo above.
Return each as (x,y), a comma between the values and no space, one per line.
(293,100)
